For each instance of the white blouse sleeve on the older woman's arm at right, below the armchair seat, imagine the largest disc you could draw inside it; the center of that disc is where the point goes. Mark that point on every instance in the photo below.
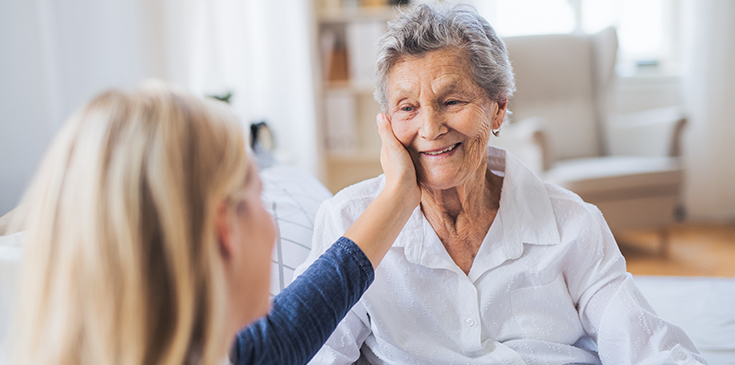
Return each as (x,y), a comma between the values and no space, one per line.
(617,316)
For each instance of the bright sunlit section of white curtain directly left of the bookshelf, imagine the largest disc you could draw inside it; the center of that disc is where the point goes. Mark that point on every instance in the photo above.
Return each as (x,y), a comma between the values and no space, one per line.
(258,49)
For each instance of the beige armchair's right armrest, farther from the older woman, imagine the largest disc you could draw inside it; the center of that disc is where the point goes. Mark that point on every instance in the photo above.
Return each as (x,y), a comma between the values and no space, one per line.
(653,132)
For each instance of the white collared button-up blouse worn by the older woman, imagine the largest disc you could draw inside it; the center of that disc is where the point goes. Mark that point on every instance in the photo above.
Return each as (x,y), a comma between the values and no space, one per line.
(548,286)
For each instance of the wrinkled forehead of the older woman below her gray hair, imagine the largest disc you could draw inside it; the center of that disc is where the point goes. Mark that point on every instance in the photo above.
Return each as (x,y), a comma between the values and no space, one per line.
(446,68)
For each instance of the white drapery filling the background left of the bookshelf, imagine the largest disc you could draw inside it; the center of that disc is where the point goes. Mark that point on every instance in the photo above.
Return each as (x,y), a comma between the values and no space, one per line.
(57,54)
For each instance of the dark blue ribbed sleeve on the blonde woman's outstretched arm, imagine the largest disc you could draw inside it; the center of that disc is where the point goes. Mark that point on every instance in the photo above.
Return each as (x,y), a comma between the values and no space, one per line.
(306,312)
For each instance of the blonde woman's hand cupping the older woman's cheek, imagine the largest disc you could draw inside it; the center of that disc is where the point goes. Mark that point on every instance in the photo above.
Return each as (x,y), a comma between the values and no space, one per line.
(400,173)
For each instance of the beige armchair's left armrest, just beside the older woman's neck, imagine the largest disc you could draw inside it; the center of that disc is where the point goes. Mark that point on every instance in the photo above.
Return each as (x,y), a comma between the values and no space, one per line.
(527,140)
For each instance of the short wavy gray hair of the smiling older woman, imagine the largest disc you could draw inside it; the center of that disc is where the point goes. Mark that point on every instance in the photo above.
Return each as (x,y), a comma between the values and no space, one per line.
(428,28)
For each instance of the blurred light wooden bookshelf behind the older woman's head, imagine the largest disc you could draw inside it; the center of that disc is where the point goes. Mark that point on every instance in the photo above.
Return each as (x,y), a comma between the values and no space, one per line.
(347,32)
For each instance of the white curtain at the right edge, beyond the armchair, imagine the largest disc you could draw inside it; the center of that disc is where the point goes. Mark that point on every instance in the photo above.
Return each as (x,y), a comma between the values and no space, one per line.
(708,87)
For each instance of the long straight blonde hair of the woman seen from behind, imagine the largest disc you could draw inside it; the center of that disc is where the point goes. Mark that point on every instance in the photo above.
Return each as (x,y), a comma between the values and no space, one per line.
(122,264)
